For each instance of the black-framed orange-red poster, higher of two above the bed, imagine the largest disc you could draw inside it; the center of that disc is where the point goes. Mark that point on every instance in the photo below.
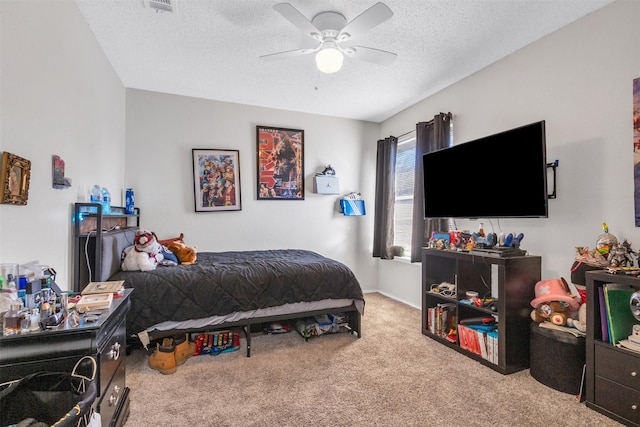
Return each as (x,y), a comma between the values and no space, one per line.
(280,163)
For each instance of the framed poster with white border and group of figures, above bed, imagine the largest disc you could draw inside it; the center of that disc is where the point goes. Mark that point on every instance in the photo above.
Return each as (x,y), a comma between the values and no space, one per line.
(216,180)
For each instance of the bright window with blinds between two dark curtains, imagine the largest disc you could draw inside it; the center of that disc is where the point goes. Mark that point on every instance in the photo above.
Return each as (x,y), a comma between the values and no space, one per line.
(405,170)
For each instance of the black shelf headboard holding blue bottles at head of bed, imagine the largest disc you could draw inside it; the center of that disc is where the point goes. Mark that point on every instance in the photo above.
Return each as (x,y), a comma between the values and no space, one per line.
(87,220)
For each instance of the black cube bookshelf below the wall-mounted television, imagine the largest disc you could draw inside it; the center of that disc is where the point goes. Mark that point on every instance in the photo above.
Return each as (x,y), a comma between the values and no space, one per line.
(510,281)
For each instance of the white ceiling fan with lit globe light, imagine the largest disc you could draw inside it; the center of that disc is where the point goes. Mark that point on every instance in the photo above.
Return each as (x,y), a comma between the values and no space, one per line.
(331,30)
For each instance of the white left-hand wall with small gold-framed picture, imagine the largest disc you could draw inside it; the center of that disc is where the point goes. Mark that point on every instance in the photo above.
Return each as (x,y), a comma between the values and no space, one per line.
(59,95)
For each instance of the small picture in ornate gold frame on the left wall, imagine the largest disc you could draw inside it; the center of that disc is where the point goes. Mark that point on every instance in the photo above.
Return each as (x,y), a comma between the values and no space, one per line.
(14,181)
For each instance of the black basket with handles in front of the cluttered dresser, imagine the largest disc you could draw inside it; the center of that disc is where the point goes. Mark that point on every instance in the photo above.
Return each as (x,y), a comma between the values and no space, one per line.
(54,398)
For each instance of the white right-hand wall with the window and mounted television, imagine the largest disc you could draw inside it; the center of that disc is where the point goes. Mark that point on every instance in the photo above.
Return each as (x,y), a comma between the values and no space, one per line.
(579,79)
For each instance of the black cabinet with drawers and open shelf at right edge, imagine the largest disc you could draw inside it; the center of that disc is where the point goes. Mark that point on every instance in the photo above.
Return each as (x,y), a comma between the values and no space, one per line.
(613,373)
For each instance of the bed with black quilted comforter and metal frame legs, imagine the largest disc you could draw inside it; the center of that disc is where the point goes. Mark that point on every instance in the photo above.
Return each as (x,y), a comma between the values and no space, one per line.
(231,289)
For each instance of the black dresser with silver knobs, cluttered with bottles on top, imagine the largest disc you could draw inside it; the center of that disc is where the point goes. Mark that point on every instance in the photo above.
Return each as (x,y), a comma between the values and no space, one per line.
(59,349)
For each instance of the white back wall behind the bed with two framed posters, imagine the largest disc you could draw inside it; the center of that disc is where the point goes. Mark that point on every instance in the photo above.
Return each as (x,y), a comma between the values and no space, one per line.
(163,129)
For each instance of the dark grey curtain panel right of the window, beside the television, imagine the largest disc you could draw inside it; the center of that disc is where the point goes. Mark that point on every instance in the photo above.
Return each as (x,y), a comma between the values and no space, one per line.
(430,136)
